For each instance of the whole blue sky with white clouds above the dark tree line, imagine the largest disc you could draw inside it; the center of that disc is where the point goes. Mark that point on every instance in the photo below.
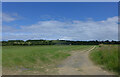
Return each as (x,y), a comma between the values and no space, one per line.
(60,20)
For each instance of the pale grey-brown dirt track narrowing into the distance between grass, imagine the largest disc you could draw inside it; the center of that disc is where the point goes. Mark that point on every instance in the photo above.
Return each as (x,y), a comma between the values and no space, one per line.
(80,64)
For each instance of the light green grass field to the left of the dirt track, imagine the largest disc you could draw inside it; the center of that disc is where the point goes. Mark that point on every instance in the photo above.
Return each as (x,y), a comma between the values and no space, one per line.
(36,58)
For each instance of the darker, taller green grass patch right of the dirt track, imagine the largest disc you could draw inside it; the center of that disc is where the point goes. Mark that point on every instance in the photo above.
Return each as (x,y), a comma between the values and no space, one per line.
(106,55)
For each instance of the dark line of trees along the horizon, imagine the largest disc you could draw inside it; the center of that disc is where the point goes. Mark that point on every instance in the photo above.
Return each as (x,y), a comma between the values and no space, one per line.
(55,42)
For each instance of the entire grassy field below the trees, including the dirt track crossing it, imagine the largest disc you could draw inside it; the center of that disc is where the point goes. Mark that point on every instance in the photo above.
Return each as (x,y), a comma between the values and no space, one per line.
(60,60)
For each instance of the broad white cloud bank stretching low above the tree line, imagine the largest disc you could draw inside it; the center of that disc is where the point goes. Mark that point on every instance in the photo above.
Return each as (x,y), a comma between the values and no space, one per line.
(68,30)
